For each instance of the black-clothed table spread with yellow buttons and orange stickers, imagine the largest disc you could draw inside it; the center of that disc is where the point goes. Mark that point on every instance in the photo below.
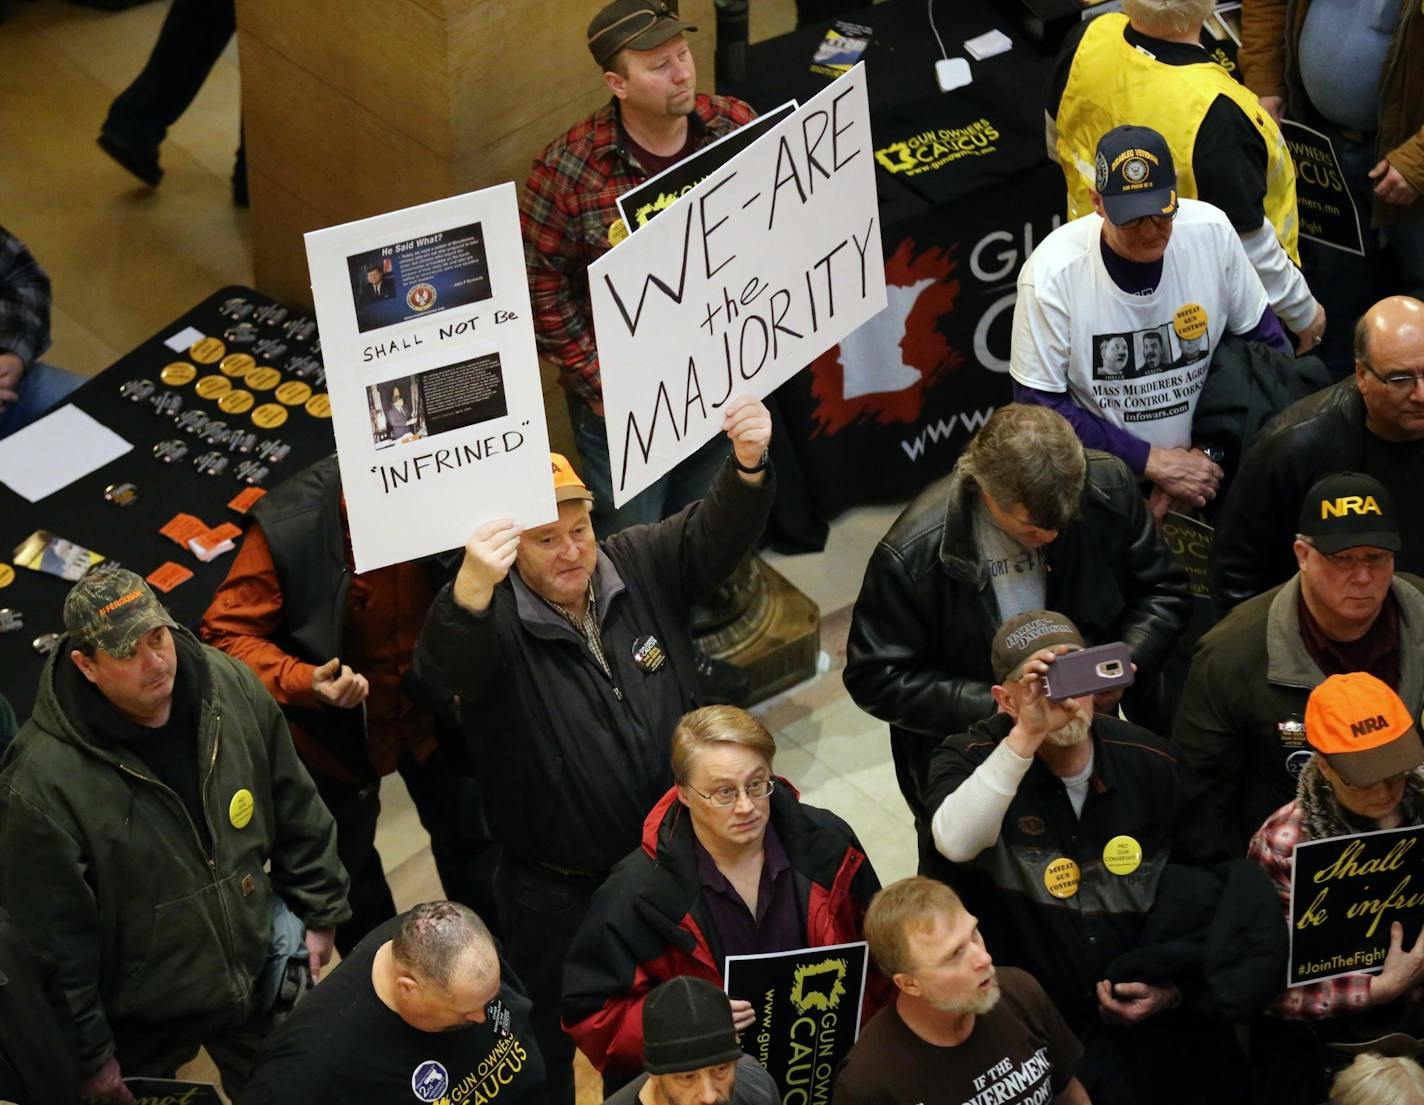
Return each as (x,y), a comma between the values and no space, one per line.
(277,338)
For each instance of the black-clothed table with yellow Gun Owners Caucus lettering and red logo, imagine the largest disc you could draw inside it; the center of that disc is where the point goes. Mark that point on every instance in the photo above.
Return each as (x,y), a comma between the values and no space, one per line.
(966,190)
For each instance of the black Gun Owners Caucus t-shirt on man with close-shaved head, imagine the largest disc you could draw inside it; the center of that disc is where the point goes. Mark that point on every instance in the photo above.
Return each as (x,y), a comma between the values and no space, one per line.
(344,1046)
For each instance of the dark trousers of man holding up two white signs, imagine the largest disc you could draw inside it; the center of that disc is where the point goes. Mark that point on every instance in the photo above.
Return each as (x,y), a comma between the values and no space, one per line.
(542,913)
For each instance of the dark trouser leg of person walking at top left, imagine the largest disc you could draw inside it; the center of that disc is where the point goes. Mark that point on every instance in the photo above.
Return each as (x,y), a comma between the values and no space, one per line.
(193,39)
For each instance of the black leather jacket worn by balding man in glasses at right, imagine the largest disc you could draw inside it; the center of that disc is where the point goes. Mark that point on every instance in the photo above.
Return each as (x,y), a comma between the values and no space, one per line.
(1252,550)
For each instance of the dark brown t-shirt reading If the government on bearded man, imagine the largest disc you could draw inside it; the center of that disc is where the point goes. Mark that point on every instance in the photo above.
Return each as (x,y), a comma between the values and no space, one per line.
(1019,1053)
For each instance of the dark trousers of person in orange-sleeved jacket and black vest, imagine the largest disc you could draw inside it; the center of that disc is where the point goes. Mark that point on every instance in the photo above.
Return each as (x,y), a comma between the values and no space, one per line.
(449,807)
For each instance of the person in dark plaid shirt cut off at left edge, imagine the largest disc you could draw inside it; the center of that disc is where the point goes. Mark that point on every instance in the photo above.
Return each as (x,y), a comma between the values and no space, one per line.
(28,388)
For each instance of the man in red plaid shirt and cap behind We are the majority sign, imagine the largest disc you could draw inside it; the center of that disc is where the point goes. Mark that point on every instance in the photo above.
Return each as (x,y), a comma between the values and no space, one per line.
(570,219)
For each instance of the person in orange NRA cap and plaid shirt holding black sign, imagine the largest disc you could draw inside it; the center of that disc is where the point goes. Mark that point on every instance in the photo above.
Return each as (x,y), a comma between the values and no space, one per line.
(1365,775)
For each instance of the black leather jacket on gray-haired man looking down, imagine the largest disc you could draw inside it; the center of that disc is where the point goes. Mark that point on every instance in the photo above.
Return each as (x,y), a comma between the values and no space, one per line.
(919,650)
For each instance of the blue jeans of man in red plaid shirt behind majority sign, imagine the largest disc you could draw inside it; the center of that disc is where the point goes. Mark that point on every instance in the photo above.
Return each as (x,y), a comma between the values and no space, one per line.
(686,483)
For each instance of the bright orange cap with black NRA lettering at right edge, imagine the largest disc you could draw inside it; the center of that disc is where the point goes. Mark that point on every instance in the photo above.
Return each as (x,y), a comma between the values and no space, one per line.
(1362,728)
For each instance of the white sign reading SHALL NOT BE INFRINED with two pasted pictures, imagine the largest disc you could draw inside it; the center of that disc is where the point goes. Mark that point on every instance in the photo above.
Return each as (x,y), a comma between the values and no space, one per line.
(431,365)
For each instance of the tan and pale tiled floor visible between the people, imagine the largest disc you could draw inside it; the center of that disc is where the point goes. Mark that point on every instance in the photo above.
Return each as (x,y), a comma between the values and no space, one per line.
(126,260)
